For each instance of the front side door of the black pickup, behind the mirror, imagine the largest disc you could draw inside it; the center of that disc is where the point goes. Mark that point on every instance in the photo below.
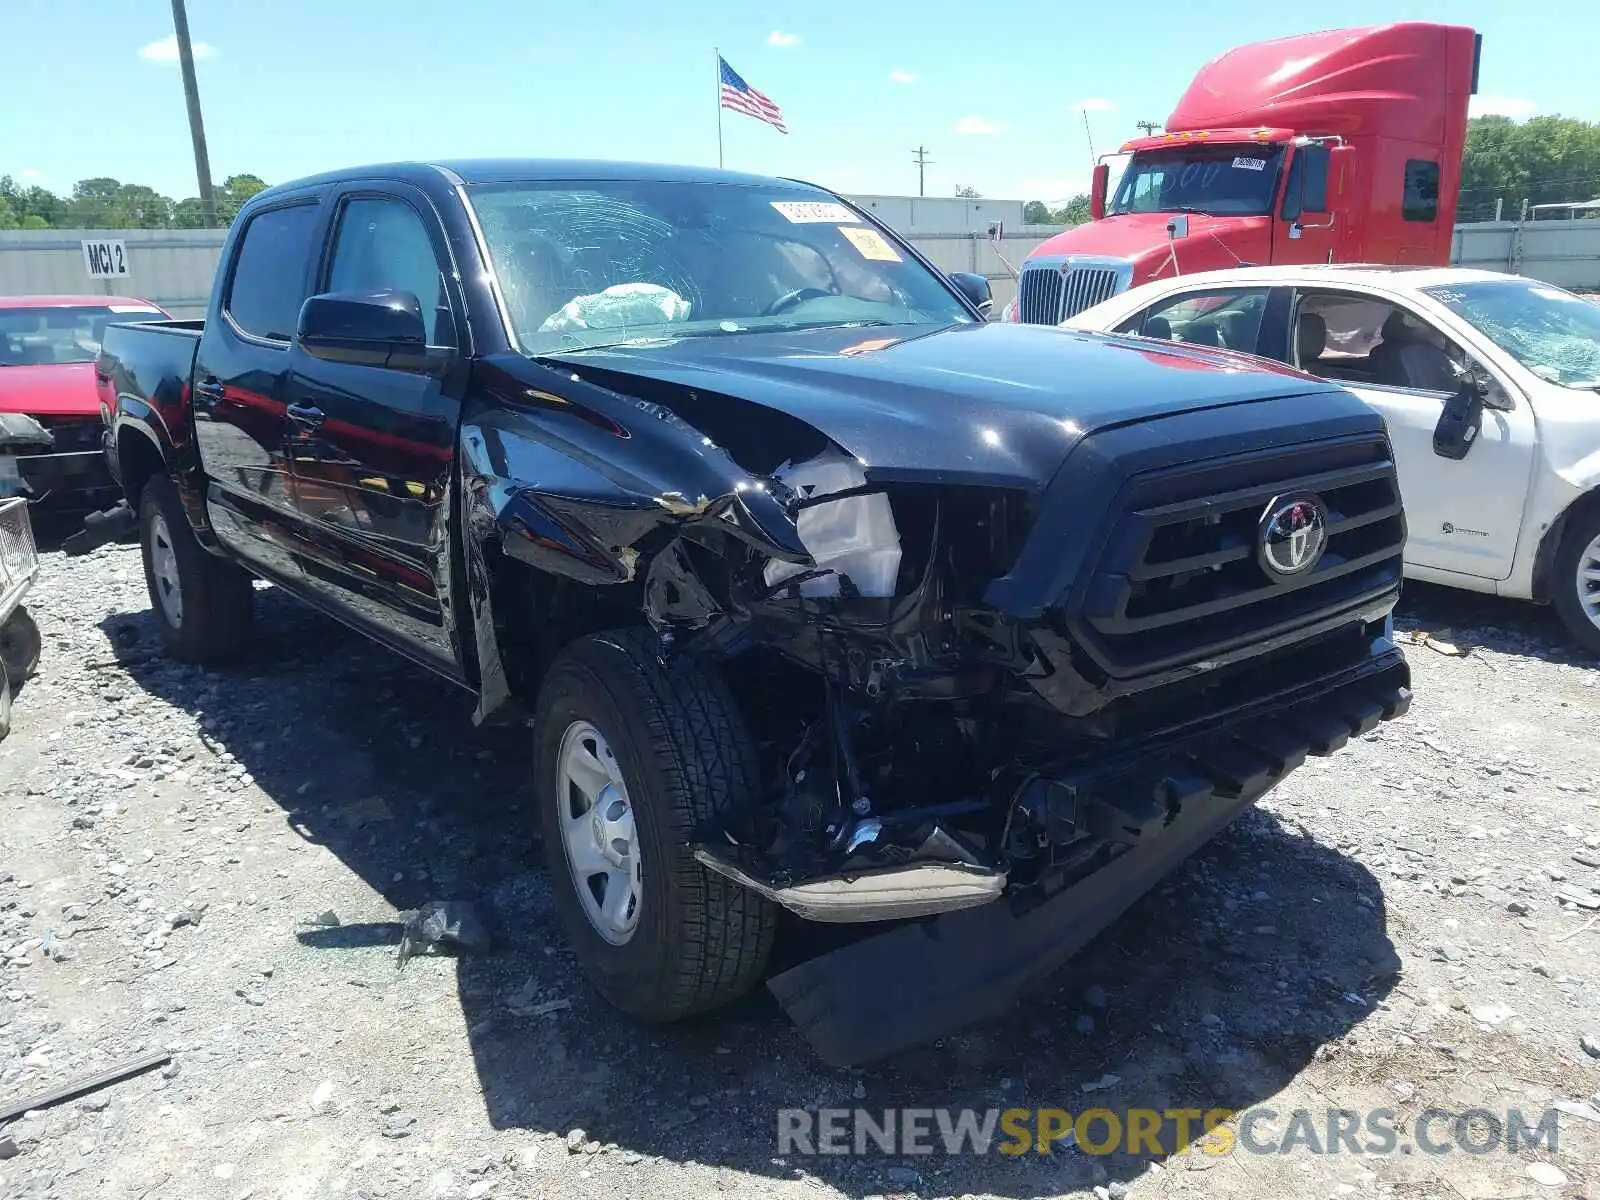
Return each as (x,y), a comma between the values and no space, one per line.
(374,446)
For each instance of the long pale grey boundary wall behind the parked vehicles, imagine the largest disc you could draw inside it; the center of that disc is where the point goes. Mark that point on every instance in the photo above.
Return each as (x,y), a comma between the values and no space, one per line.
(174,268)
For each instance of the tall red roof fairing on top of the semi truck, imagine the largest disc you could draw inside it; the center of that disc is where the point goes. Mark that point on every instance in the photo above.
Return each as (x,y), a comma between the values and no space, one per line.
(1337,82)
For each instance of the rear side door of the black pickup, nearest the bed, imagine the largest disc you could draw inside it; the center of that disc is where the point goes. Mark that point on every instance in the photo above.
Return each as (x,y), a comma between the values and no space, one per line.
(241,382)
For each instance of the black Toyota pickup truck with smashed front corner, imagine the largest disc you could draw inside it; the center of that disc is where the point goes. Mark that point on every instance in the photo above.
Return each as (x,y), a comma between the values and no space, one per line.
(826,594)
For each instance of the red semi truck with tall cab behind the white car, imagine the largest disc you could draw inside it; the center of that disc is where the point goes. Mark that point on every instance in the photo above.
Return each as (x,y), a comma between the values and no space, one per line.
(1342,146)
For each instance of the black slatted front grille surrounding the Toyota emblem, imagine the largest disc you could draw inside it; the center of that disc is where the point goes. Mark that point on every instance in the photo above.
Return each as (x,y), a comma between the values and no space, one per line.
(1180,578)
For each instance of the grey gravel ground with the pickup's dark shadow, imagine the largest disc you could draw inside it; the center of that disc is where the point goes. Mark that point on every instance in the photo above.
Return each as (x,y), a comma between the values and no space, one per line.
(212,865)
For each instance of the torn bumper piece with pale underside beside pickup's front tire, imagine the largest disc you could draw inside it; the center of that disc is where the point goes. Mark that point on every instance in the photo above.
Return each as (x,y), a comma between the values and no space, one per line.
(897,894)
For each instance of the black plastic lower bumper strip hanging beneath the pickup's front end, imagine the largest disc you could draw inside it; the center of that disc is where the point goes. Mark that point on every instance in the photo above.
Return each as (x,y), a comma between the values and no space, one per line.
(924,980)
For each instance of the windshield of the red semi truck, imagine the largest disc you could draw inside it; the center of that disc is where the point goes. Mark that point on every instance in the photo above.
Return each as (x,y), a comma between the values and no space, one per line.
(1236,180)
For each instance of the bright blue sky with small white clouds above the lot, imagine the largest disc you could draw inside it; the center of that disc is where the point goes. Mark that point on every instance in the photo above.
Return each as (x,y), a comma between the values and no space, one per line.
(994,92)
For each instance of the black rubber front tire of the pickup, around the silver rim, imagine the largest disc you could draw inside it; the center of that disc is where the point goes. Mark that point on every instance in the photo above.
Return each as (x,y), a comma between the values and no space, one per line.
(684,751)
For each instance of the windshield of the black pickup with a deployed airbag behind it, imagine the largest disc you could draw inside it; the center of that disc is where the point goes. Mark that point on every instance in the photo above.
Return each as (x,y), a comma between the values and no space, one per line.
(588,265)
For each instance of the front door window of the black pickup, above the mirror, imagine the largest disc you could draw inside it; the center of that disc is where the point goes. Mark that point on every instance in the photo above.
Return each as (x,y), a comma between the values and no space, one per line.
(383,246)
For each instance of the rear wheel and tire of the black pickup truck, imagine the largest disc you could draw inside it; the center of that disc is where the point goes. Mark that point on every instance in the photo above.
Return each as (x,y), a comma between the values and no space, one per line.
(214,617)
